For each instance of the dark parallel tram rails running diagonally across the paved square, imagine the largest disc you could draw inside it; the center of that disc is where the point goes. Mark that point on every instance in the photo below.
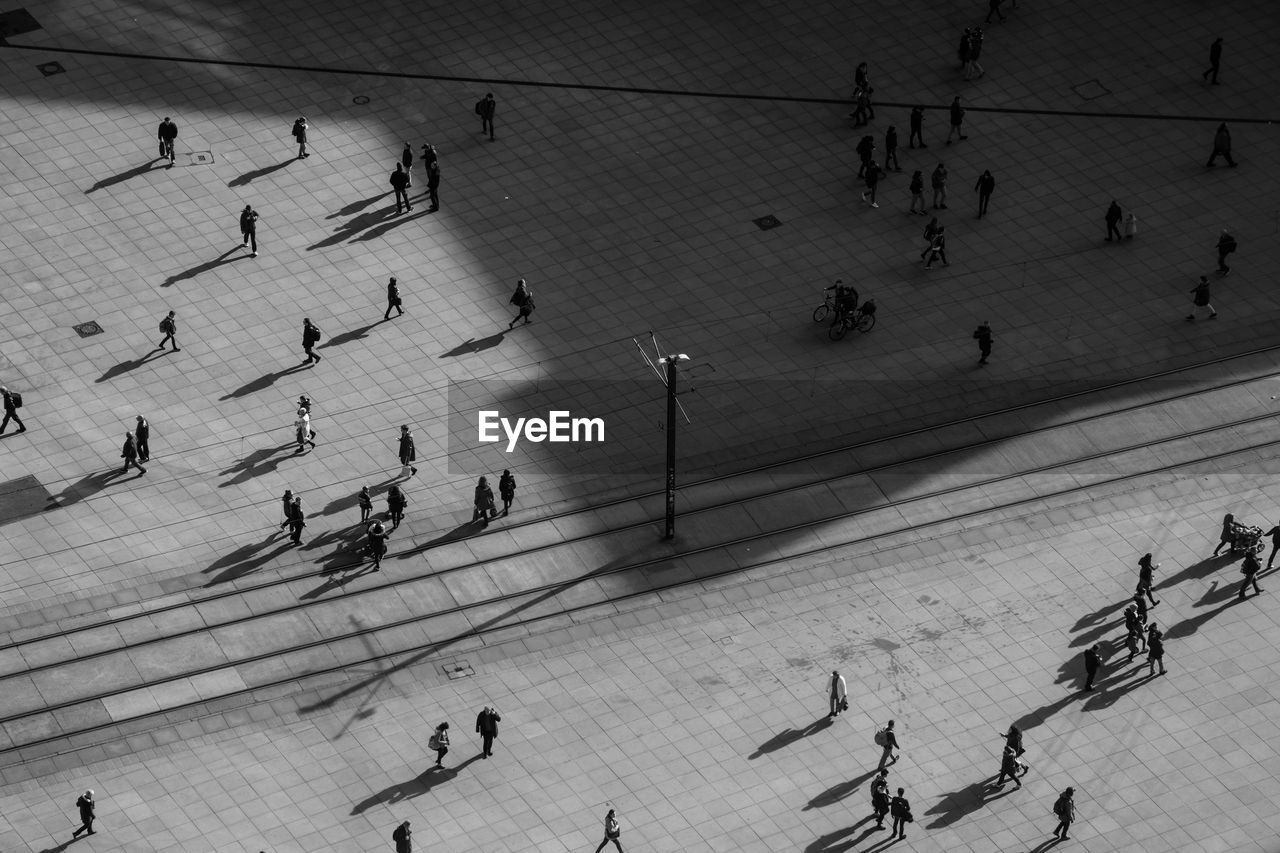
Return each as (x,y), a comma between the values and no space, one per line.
(474,619)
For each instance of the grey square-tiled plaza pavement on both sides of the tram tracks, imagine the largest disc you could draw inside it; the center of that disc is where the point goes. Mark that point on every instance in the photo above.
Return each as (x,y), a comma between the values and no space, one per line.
(637,149)
